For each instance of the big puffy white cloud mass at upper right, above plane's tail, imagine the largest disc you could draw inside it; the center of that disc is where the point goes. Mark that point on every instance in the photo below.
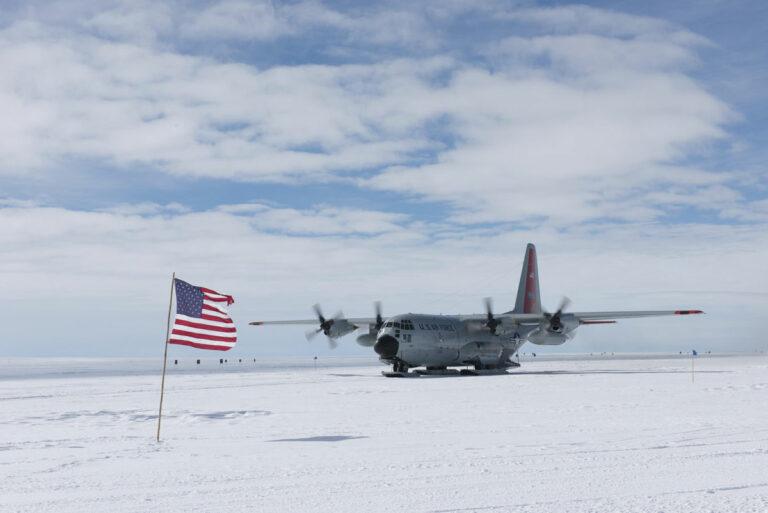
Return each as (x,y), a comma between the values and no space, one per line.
(570,128)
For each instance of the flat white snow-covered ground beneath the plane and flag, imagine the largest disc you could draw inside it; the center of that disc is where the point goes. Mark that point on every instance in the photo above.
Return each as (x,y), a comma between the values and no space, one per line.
(564,435)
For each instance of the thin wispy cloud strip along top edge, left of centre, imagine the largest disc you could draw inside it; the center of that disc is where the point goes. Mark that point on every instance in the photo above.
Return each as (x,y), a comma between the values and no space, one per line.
(175,22)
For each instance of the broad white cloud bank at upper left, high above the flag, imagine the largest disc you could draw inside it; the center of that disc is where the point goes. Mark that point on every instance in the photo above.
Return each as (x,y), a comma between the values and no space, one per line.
(130,105)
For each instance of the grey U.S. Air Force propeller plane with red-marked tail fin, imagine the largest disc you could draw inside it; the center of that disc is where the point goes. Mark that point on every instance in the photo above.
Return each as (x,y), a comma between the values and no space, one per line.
(486,342)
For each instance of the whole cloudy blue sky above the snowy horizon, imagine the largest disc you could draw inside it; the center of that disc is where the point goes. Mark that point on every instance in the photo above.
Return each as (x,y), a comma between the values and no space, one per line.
(292,153)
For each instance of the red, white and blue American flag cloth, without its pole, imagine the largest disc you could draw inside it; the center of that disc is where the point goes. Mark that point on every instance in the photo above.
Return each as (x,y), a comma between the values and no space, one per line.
(201,318)
